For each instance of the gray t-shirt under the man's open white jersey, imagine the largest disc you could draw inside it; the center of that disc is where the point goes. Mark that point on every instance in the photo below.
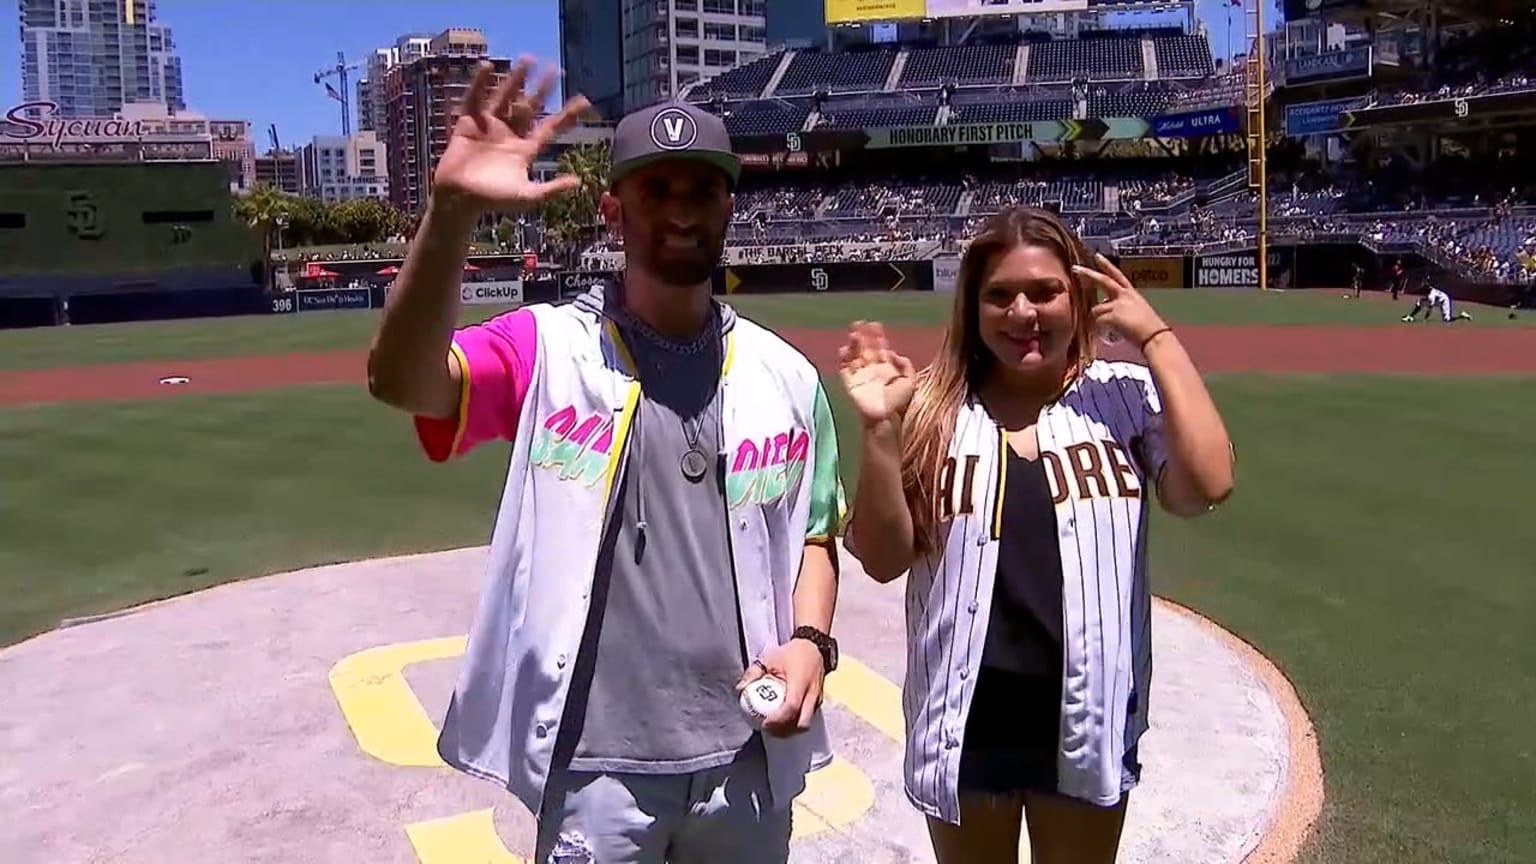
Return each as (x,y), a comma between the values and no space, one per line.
(666,623)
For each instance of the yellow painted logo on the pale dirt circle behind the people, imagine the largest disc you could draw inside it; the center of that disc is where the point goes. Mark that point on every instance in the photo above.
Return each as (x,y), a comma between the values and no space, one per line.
(389,725)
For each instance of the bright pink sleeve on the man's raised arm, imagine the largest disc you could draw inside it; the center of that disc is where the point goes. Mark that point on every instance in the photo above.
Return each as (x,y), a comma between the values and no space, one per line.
(497,364)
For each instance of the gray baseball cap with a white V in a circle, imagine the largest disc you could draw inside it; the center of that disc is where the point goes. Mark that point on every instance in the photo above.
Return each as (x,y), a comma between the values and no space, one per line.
(672,130)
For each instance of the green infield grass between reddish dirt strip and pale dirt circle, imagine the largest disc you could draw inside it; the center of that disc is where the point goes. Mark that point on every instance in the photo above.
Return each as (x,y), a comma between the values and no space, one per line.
(1372,550)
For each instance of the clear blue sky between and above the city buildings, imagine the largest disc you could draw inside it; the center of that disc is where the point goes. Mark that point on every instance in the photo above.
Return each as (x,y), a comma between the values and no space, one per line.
(256,59)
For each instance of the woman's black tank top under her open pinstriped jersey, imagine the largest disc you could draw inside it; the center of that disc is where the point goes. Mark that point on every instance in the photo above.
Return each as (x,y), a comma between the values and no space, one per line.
(1025,631)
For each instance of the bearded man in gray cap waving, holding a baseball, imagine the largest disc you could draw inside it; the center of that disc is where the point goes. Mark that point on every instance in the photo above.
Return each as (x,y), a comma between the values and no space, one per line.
(666,530)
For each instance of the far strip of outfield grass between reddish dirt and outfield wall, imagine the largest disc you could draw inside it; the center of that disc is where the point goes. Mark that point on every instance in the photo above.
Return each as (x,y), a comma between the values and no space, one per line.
(51,348)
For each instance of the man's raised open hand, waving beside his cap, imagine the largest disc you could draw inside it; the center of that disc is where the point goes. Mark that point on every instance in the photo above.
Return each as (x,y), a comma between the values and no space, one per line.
(495,142)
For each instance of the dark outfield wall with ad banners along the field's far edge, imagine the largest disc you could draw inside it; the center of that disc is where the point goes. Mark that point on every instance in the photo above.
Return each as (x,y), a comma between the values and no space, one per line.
(1291,267)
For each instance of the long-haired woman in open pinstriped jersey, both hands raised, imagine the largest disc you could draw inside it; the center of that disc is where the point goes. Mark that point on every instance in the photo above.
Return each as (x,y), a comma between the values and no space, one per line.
(1011,479)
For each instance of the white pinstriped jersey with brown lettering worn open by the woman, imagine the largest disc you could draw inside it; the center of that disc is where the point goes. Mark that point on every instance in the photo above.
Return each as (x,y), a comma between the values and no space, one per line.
(1104,450)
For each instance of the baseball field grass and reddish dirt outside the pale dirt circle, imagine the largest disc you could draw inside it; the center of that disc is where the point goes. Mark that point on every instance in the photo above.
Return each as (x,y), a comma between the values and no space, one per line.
(1374,550)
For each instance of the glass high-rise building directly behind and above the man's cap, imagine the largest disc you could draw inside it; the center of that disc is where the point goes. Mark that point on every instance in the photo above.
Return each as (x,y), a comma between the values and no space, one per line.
(626,55)
